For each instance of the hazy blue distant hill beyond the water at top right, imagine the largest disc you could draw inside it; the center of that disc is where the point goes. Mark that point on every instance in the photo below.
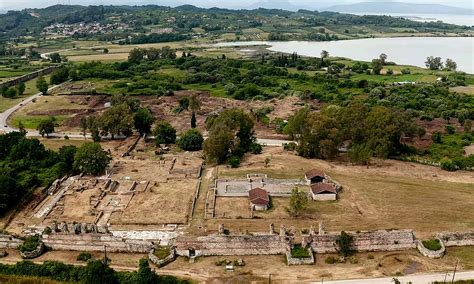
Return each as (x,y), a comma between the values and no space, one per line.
(399,7)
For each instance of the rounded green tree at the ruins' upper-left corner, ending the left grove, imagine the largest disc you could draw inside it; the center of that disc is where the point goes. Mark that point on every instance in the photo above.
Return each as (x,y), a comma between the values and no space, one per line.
(91,159)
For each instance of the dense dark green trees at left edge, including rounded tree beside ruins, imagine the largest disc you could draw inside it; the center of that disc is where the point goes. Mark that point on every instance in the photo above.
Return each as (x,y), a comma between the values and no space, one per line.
(26,164)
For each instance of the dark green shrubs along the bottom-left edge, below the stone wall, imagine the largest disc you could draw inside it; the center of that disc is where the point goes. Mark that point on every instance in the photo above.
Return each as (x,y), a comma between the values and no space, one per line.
(95,272)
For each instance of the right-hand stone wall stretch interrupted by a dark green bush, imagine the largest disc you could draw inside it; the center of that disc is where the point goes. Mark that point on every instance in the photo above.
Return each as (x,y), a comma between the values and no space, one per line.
(382,240)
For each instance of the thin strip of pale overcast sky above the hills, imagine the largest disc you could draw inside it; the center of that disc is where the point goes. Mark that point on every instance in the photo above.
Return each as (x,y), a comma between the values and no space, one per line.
(314,4)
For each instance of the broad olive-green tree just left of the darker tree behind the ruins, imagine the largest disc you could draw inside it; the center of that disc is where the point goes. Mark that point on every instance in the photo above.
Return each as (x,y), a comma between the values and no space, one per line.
(117,120)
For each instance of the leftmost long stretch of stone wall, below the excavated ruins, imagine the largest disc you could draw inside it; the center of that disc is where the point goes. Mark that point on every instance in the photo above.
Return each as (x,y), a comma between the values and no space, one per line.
(95,242)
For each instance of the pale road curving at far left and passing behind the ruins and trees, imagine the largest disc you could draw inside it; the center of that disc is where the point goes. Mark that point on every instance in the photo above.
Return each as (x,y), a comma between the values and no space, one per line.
(33,133)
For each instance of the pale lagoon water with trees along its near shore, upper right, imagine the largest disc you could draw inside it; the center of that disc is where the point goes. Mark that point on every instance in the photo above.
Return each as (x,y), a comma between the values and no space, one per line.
(401,50)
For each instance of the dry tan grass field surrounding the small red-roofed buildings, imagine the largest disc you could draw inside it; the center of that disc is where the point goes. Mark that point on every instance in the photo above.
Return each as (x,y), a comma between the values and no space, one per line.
(399,195)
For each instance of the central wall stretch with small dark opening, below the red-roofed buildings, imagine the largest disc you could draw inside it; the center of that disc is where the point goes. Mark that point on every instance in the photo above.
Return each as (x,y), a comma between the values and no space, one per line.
(231,245)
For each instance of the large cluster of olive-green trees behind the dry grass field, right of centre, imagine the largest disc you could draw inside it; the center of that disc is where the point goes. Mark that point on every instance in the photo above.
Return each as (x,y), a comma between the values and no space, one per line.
(370,131)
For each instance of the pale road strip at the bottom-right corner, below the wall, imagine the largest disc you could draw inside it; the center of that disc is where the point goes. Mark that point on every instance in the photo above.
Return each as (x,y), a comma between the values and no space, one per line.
(415,279)
